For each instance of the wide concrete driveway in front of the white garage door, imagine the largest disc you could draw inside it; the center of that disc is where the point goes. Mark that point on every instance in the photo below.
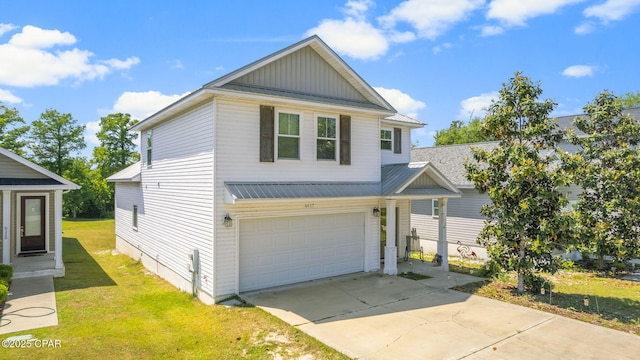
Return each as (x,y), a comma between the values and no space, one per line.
(375,316)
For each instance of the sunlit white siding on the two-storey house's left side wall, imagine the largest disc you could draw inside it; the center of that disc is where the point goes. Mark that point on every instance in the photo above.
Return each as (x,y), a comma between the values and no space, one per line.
(177,193)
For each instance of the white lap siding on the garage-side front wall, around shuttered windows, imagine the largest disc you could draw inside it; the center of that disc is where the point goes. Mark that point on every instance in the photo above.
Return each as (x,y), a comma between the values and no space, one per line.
(237,133)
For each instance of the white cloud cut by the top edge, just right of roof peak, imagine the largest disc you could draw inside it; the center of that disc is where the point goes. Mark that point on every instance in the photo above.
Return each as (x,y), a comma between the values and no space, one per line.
(430,18)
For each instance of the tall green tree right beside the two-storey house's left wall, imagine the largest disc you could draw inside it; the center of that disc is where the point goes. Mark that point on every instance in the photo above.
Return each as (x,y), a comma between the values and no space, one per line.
(117,149)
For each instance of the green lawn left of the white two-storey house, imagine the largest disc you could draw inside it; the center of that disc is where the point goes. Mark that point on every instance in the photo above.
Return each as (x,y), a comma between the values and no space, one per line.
(109,306)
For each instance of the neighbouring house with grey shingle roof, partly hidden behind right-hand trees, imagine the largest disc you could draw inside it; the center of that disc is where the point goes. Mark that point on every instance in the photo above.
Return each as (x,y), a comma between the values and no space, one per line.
(463,216)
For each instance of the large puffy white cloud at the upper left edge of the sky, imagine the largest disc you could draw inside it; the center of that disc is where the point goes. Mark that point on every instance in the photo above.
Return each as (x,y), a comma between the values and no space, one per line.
(26,60)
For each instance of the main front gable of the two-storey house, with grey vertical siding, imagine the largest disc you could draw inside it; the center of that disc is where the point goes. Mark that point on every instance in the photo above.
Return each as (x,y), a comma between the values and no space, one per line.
(307,71)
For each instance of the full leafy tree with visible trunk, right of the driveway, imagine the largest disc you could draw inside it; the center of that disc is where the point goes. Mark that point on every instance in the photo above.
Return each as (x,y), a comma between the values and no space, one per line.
(524,220)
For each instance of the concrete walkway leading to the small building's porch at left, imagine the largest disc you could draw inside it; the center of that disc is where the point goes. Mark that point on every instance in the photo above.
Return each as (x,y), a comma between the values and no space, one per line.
(31,304)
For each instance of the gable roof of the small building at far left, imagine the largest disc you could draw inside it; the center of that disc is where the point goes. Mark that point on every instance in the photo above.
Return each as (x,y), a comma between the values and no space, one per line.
(46,179)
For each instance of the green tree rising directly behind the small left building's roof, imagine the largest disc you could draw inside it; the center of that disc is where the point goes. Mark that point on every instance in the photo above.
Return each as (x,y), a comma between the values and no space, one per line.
(54,139)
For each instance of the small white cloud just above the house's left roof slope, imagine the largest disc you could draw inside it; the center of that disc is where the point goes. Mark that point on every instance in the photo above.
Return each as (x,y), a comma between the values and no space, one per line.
(142,104)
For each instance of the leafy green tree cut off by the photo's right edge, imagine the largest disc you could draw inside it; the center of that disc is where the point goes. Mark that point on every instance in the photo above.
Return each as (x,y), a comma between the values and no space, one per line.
(607,167)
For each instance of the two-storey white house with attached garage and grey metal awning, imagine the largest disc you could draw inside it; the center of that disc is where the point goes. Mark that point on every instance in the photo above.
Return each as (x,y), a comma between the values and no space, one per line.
(282,171)
